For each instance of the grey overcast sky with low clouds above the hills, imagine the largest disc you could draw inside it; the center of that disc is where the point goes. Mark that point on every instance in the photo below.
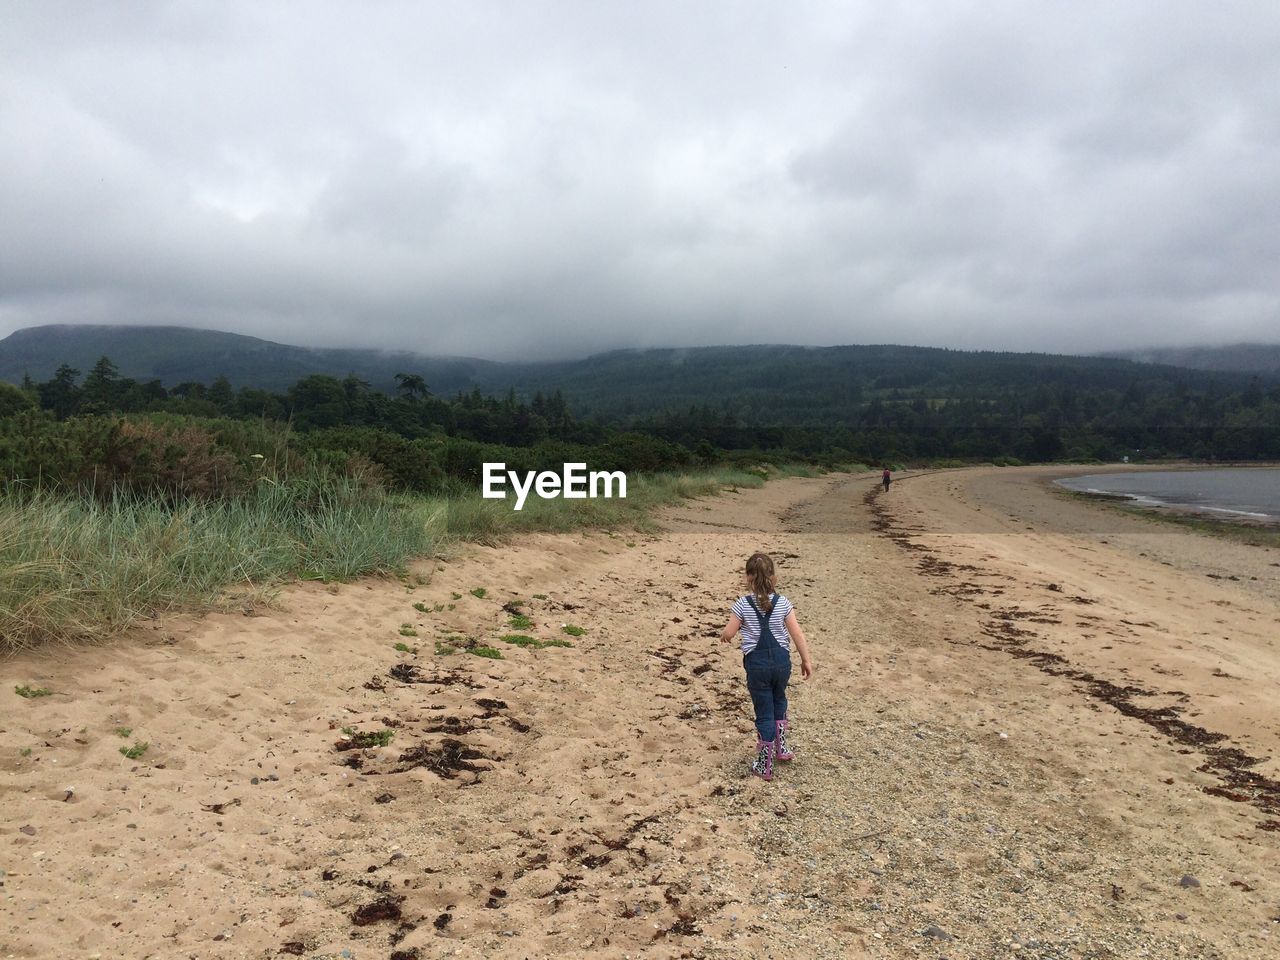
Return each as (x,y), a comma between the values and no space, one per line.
(546,180)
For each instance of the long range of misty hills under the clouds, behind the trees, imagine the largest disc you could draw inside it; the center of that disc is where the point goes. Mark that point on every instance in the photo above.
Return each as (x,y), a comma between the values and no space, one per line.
(758,385)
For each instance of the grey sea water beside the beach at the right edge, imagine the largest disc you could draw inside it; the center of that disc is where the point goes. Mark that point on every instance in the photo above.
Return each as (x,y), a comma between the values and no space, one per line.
(1242,492)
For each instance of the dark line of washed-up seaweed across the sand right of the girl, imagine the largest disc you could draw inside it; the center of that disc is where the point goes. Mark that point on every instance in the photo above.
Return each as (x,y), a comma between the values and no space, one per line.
(1229,765)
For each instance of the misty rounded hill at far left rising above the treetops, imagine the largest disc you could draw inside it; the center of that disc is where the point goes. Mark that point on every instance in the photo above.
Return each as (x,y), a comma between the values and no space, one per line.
(176,355)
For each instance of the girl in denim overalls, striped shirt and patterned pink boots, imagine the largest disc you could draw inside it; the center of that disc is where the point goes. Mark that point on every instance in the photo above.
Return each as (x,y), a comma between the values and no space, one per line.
(769,625)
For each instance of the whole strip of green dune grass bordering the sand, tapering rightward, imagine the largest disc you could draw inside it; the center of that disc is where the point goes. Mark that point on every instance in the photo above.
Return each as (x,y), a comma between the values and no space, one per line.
(75,569)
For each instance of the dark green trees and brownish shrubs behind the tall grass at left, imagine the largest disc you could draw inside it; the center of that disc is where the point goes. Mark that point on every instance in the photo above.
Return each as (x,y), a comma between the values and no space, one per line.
(109,433)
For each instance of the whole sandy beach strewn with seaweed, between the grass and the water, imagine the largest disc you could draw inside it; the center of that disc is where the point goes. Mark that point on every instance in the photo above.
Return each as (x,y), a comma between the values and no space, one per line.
(1030,735)
